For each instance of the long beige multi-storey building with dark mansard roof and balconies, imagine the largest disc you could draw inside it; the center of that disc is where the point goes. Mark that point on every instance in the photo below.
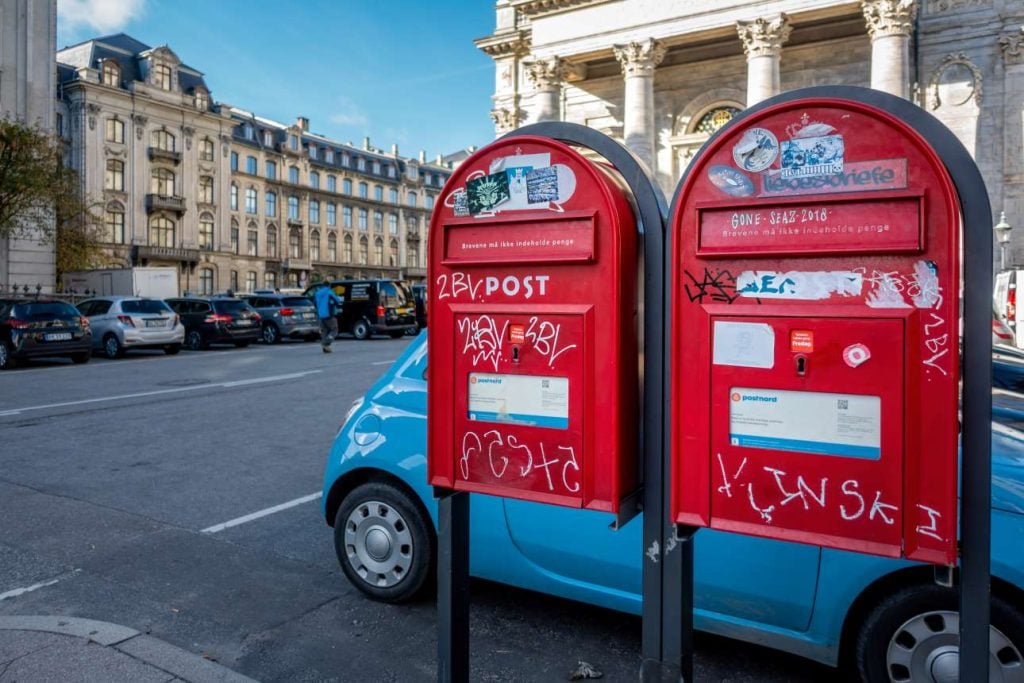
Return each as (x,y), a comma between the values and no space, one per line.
(233,200)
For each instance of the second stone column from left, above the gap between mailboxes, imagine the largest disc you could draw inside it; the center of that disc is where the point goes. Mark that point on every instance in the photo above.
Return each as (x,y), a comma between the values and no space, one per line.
(639,61)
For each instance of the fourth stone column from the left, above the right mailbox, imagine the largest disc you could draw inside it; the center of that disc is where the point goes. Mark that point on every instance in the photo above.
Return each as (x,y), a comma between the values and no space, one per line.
(890,24)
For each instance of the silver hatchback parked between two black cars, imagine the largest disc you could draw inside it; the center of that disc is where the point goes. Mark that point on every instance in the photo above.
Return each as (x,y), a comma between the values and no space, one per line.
(121,323)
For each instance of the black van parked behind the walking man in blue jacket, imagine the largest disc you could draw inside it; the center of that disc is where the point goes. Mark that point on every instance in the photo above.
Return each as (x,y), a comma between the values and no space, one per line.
(373,307)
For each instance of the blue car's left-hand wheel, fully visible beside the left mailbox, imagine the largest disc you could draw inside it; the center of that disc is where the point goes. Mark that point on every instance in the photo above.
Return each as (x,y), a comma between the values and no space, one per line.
(385,542)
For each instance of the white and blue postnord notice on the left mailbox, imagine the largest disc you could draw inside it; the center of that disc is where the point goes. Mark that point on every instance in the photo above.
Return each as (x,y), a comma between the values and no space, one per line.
(523,400)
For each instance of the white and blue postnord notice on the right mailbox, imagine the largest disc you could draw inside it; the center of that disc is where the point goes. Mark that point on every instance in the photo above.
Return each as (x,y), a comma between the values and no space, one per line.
(828,424)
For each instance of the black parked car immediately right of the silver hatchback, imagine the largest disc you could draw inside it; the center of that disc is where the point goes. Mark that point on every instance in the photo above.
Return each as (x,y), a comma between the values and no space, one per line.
(217,321)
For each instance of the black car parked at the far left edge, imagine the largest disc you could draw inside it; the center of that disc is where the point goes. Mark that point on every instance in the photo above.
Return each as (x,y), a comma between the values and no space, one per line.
(42,329)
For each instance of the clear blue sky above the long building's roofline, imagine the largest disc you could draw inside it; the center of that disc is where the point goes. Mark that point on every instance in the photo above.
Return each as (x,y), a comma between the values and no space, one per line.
(402,72)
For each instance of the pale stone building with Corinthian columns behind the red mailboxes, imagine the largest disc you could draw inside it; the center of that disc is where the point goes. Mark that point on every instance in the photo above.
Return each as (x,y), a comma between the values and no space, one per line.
(662,76)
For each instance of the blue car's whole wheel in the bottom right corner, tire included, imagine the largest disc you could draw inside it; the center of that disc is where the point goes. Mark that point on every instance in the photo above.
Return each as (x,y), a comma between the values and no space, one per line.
(914,635)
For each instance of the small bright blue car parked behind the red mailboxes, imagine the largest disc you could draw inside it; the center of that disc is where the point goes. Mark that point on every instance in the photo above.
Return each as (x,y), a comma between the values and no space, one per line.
(882,620)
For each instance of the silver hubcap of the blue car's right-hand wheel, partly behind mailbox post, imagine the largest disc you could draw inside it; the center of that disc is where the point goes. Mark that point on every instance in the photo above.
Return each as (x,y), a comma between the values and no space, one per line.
(926,650)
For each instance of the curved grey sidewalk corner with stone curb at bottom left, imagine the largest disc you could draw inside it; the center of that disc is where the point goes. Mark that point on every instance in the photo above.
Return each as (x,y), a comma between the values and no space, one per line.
(63,649)
